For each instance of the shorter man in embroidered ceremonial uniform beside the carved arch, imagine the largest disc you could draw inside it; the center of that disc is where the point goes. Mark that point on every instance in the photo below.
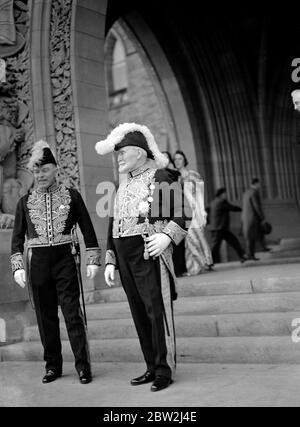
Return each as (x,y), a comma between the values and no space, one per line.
(46,216)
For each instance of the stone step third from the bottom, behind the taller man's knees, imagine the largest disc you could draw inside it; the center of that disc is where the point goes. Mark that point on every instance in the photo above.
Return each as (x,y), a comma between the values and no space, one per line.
(219,304)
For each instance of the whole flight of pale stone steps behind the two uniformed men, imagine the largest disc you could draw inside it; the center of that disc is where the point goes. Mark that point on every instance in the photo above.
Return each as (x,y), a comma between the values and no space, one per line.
(234,315)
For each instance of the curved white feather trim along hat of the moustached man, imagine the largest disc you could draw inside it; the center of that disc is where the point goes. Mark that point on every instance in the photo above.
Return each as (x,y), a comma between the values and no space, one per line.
(132,134)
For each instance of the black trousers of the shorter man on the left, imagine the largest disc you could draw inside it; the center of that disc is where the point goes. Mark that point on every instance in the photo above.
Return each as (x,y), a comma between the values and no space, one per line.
(54,282)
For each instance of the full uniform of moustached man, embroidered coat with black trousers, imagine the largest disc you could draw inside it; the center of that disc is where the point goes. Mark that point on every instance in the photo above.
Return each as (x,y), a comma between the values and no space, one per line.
(148,202)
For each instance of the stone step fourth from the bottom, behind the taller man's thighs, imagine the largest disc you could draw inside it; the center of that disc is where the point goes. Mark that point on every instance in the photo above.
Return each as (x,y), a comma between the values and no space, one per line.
(189,287)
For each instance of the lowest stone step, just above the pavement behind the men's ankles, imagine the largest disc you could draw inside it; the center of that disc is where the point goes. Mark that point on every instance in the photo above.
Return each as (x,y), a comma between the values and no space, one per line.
(197,350)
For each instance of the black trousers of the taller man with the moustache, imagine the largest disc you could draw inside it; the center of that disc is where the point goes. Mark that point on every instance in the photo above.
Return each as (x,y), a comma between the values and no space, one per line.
(141,281)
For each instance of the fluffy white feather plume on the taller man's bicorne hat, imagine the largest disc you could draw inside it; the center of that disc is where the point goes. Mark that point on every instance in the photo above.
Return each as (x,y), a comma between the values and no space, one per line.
(118,133)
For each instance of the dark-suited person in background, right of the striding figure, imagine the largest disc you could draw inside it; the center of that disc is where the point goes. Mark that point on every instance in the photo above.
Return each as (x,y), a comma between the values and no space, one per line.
(252,217)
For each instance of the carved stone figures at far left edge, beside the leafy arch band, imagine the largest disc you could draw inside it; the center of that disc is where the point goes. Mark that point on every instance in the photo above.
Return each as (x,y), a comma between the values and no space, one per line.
(16,126)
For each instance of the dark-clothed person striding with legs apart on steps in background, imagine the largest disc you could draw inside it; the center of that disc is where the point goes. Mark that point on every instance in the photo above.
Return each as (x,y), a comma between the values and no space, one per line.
(219,223)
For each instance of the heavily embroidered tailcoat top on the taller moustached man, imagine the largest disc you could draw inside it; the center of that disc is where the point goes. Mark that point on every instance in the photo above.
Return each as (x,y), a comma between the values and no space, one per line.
(165,214)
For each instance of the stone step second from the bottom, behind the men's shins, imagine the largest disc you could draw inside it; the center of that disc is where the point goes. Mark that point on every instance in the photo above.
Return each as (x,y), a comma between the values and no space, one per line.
(228,325)
